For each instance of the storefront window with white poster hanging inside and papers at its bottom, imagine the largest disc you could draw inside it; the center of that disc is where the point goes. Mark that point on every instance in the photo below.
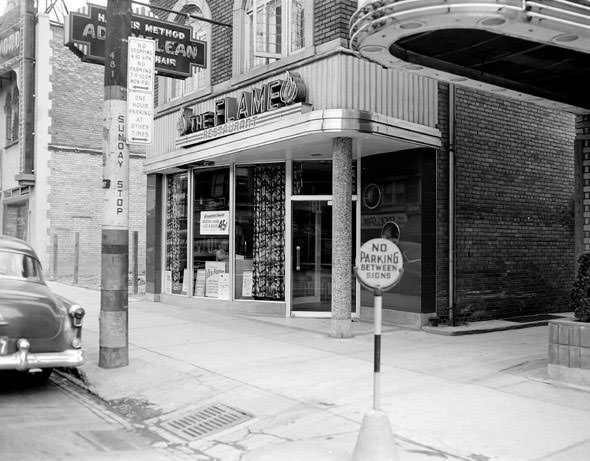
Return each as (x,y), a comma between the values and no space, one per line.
(211,233)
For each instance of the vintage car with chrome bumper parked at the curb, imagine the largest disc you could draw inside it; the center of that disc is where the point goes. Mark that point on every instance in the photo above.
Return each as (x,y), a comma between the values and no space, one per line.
(39,330)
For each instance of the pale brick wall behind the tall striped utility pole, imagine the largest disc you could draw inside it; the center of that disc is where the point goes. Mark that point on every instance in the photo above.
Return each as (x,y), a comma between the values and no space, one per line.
(75,181)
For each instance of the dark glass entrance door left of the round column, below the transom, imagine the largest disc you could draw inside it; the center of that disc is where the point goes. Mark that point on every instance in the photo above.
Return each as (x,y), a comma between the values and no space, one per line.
(311,256)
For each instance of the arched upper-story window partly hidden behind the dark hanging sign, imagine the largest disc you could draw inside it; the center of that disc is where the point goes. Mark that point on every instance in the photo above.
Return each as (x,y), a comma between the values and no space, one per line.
(170,88)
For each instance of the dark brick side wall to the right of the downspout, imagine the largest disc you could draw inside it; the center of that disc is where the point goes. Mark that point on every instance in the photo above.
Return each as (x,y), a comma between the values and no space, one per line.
(514,206)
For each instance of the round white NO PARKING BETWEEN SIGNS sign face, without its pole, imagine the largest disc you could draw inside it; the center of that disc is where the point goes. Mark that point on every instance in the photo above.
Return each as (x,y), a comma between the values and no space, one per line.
(379,264)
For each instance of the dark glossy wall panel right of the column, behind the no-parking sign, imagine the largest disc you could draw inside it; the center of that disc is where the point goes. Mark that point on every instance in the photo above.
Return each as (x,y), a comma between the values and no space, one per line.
(392,208)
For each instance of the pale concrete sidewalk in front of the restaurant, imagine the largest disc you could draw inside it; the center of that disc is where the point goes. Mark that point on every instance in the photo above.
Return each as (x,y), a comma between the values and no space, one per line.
(287,391)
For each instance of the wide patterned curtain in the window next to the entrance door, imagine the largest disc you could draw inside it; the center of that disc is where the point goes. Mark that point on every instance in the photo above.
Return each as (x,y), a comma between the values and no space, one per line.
(269,233)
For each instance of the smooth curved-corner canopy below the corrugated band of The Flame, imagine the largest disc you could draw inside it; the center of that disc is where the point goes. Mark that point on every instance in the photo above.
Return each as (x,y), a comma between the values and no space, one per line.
(297,132)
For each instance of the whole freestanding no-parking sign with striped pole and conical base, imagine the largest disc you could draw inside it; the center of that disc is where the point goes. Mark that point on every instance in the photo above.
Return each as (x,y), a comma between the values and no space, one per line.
(379,268)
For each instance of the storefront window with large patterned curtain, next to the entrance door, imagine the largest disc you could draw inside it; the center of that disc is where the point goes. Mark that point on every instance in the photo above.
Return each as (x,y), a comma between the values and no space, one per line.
(260,232)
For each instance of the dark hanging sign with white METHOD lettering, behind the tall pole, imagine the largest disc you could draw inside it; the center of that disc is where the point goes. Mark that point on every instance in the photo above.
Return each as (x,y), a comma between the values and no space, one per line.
(176,51)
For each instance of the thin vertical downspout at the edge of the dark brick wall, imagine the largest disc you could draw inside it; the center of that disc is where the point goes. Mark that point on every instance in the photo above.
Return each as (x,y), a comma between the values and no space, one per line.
(451,204)
